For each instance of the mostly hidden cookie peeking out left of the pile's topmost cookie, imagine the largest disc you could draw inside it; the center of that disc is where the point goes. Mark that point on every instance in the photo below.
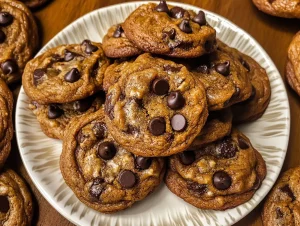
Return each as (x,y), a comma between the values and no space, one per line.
(116,45)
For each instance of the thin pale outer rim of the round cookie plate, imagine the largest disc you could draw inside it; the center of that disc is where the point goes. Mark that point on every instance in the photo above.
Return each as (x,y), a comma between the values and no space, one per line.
(287,114)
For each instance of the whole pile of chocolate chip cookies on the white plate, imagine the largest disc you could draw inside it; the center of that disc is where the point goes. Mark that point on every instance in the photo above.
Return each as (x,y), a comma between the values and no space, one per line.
(172,93)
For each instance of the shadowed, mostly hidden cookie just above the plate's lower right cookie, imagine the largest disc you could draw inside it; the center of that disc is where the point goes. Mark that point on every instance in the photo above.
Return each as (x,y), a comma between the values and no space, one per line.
(217,126)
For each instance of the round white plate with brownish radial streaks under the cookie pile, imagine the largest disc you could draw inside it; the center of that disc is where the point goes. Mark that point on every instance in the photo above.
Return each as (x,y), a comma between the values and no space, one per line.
(40,154)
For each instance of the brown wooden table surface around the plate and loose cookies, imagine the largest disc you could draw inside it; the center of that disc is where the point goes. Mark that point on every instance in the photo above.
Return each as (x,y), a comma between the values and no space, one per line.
(274,34)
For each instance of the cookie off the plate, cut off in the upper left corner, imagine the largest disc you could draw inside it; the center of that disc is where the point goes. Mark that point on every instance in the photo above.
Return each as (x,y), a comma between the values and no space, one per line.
(18,39)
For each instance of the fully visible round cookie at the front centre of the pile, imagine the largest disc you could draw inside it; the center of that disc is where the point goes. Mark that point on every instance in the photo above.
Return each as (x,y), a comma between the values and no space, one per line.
(156,108)
